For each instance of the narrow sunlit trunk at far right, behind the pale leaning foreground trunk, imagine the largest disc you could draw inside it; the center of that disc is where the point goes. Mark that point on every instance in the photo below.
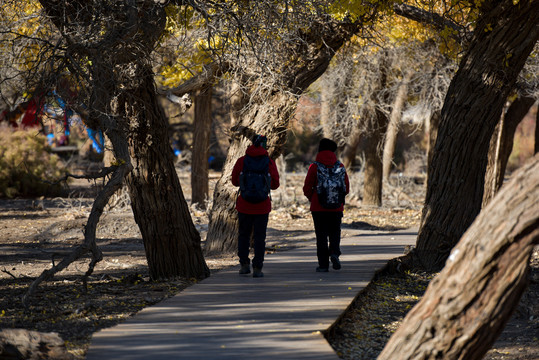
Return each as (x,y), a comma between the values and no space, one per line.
(501,145)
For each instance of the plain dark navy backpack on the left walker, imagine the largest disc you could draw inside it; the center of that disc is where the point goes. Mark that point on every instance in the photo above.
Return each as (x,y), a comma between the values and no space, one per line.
(255,179)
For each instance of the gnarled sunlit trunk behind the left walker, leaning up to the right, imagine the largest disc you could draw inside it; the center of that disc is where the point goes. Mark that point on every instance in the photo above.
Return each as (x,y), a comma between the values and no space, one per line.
(269,114)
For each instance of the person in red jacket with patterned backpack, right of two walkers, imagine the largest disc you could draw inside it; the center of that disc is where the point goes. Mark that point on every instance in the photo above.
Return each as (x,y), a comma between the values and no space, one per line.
(327,222)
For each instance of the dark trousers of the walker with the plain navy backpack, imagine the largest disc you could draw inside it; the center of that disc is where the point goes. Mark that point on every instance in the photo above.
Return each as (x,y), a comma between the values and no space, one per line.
(257,225)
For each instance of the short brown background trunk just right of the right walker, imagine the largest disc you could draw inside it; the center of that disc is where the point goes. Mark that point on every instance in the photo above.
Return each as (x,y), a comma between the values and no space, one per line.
(372,190)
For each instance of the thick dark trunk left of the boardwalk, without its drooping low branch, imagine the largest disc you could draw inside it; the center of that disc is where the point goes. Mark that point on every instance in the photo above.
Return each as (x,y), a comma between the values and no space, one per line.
(123,103)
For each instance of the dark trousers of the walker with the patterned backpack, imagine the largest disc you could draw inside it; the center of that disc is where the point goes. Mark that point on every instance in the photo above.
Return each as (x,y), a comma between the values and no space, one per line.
(327,226)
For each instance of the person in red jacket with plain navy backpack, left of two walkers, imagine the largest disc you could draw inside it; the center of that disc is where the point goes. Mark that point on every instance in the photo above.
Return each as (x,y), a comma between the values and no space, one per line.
(253,217)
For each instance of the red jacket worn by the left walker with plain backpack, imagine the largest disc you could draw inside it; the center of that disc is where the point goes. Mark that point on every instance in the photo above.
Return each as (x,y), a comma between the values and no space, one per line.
(242,205)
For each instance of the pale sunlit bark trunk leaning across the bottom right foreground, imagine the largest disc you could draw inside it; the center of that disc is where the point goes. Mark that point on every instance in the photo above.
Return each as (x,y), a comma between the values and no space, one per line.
(467,306)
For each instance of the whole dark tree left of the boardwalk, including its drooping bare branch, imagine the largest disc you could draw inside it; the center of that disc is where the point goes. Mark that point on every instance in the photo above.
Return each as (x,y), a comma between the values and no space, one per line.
(105,49)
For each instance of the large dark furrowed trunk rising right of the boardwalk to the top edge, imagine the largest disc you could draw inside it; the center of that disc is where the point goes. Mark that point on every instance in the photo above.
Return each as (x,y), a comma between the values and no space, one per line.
(472,108)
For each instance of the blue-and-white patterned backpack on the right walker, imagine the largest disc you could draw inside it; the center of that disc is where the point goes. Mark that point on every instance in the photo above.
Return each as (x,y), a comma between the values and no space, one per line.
(331,187)
